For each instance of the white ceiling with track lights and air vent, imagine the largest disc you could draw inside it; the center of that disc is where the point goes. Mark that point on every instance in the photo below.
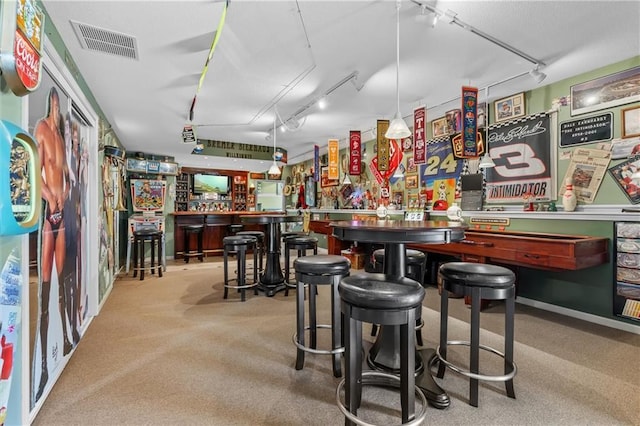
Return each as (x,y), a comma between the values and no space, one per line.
(289,53)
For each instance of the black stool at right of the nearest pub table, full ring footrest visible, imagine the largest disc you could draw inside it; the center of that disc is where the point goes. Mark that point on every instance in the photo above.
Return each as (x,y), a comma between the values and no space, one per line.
(478,281)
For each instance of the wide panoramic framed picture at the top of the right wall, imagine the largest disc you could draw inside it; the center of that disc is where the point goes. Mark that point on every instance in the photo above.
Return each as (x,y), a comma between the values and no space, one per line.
(606,92)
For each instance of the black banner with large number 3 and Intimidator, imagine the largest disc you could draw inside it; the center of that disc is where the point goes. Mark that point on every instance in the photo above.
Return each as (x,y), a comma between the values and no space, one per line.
(525,162)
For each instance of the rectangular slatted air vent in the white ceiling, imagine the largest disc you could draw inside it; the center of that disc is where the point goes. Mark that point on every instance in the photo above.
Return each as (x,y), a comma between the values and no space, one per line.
(105,41)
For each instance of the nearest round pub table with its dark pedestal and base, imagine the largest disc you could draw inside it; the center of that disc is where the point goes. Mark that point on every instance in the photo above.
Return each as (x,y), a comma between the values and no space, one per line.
(394,234)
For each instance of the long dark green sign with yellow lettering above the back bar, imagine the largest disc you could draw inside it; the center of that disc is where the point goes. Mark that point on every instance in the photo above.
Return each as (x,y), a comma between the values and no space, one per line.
(238,150)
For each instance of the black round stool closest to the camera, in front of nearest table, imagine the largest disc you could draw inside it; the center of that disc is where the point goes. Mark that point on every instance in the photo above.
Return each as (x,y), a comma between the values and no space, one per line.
(389,301)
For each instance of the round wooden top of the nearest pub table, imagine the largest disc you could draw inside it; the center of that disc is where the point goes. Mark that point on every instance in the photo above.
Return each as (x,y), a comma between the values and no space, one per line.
(399,231)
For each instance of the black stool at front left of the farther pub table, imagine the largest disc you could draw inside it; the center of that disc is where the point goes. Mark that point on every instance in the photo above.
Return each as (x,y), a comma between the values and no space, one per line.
(239,245)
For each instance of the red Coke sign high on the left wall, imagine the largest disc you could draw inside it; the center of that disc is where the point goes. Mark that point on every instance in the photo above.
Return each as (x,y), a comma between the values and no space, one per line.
(21,25)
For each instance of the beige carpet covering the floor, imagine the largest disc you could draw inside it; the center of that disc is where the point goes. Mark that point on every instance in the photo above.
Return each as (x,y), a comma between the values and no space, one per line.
(171,351)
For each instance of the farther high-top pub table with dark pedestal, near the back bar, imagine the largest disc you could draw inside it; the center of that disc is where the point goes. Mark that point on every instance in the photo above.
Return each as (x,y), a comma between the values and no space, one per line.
(272,280)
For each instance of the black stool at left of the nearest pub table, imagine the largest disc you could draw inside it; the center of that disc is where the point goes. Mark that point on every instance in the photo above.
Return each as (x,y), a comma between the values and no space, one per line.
(313,271)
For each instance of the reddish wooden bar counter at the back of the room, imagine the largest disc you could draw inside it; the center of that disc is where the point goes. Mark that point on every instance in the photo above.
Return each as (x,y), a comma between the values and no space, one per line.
(216,227)
